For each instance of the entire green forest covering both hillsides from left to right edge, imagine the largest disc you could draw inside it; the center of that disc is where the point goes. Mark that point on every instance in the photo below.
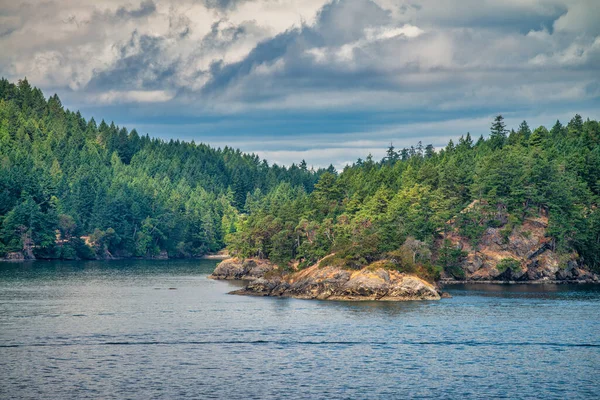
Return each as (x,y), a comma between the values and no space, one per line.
(71,188)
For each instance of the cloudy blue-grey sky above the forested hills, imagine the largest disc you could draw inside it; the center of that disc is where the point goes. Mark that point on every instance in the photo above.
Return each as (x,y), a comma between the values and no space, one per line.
(324,81)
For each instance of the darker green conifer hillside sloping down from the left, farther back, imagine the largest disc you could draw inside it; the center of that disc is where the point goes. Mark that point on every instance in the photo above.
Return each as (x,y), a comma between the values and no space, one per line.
(71,188)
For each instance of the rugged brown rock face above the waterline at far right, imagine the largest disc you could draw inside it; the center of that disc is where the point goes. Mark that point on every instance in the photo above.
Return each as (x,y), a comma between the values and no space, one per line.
(527,245)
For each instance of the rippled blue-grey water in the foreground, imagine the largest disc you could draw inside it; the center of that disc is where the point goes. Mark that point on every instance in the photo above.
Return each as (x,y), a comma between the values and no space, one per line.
(161,329)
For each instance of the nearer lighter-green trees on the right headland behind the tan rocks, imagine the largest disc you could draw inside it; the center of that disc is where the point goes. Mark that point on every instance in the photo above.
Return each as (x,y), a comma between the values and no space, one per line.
(399,207)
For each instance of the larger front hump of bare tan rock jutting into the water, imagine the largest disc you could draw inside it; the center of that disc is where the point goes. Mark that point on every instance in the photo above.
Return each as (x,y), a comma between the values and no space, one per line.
(332,283)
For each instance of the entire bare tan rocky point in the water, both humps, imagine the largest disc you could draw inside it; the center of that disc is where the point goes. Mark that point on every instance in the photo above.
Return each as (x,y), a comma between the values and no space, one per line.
(373,282)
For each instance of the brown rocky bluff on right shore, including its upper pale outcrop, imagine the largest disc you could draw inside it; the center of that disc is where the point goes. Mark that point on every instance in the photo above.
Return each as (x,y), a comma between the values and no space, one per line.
(512,253)
